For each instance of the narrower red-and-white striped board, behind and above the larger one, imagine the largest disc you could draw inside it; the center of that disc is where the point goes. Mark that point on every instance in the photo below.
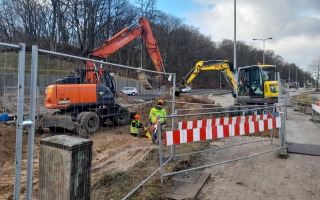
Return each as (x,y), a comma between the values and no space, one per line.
(224,121)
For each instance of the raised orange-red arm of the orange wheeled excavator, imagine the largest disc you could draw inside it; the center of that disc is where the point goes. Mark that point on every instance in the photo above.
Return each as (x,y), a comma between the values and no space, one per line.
(121,39)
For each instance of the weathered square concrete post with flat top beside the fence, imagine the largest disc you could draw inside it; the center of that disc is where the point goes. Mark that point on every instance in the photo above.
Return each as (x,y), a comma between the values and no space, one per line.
(65,168)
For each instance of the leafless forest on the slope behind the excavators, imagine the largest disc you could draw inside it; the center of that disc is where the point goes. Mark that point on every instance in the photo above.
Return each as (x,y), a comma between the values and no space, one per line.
(74,27)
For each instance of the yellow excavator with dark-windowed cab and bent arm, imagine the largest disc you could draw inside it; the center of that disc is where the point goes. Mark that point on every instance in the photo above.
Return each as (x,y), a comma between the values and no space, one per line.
(251,85)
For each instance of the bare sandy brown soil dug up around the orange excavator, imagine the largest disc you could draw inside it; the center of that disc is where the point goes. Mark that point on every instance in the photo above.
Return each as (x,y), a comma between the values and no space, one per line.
(113,147)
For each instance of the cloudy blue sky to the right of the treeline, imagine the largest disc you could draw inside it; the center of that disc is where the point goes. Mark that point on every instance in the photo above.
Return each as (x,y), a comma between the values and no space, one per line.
(294,25)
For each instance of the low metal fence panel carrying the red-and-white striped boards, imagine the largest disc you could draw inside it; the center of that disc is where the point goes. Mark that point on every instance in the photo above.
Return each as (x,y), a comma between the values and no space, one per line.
(239,134)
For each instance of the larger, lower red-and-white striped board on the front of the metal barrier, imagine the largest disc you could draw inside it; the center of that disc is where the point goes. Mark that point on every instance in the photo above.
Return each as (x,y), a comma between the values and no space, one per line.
(182,136)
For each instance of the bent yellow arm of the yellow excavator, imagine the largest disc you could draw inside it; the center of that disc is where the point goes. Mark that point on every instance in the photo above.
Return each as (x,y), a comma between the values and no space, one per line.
(209,65)
